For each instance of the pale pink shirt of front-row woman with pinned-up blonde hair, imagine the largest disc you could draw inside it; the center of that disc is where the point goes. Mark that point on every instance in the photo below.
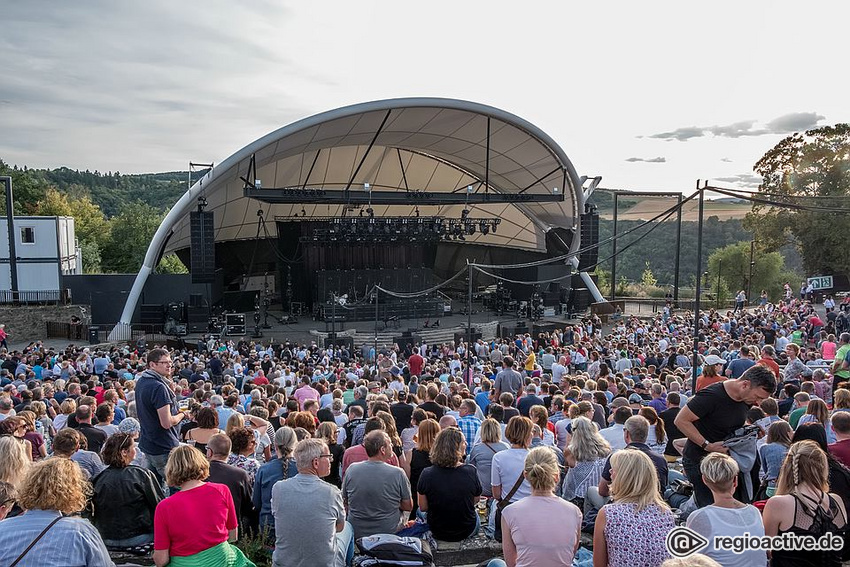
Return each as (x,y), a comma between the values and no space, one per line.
(544,530)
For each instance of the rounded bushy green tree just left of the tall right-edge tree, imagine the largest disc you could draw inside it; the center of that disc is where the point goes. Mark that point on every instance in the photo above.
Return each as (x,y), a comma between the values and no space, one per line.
(733,264)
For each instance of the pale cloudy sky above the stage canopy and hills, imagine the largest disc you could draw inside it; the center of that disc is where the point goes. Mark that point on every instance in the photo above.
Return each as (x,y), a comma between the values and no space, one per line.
(649,95)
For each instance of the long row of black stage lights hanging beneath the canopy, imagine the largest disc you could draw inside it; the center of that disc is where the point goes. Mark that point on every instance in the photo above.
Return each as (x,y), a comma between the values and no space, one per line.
(397,229)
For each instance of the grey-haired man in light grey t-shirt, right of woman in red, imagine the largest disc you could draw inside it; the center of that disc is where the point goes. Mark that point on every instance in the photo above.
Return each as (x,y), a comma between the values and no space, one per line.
(310,526)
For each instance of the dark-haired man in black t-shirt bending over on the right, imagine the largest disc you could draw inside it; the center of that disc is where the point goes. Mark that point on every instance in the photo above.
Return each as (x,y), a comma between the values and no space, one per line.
(712,414)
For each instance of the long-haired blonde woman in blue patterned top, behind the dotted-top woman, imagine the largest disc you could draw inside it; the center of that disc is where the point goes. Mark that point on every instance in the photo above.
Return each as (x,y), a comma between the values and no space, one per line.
(585,458)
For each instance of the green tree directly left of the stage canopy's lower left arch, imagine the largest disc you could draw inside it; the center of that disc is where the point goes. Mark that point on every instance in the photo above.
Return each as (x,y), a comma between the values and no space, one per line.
(130,233)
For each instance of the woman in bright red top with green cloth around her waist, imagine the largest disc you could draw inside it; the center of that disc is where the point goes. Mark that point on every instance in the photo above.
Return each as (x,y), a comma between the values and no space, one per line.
(195,526)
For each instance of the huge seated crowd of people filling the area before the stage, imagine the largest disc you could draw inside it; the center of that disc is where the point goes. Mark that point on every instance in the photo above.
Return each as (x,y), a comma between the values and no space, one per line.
(608,431)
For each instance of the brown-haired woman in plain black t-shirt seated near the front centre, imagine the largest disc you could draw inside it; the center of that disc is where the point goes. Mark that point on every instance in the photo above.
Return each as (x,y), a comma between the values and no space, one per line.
(449,489)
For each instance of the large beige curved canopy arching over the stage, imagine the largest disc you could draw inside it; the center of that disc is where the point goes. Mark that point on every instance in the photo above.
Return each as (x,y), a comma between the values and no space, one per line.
(462,154)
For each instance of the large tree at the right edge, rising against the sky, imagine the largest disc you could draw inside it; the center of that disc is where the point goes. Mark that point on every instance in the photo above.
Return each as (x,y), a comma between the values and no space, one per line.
(814,164)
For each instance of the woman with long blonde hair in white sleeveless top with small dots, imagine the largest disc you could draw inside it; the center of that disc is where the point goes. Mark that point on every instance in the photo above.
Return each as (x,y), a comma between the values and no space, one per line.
(632,529)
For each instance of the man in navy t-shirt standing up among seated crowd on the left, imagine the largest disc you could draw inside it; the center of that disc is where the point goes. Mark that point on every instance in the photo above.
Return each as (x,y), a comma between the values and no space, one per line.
(157,410)
